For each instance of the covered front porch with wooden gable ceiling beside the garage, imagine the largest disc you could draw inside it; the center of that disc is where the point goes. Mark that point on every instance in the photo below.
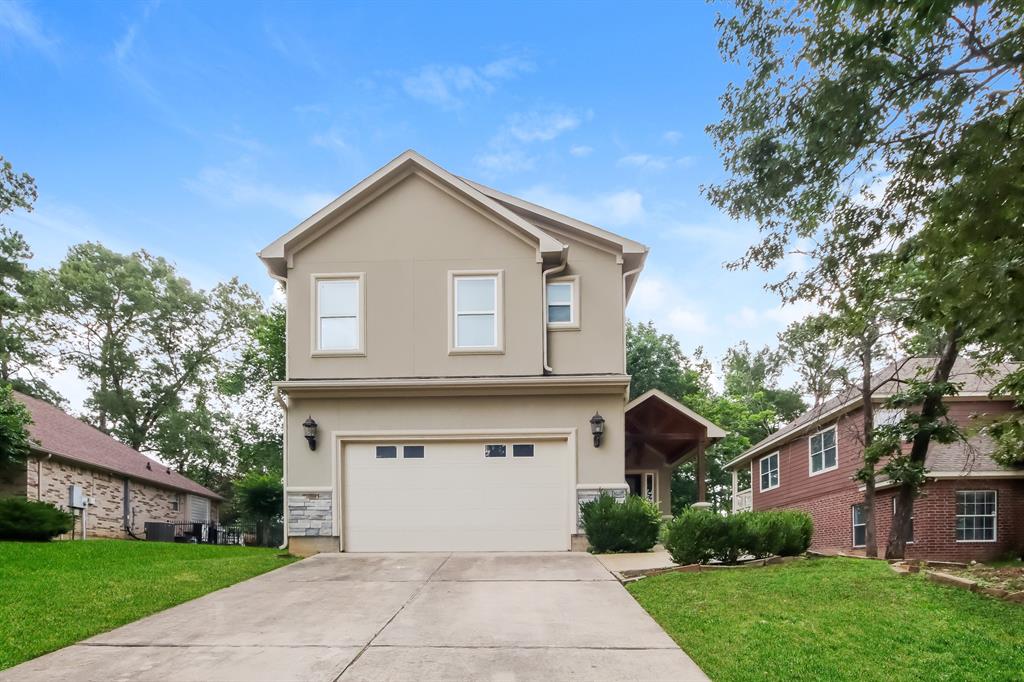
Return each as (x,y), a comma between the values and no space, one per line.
(661,435)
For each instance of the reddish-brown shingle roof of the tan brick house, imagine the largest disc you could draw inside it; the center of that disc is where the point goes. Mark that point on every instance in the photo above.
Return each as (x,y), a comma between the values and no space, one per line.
(58,434)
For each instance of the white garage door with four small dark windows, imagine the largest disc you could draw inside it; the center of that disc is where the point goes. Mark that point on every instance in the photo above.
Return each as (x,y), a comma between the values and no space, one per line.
(456,496)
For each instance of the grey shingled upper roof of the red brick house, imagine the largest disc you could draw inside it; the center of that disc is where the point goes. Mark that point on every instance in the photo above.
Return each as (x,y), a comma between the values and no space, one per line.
(886,383)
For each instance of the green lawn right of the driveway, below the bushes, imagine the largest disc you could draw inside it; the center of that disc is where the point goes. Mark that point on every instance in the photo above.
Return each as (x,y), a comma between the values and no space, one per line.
(835,620)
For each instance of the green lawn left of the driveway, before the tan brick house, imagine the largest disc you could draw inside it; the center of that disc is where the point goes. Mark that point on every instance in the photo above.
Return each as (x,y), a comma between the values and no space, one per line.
(54,594)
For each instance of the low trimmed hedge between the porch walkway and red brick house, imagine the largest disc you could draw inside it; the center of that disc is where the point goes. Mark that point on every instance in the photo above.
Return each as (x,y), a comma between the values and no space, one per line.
(700,536)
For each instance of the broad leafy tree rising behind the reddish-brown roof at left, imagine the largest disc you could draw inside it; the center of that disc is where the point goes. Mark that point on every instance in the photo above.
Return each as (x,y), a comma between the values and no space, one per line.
(142,337)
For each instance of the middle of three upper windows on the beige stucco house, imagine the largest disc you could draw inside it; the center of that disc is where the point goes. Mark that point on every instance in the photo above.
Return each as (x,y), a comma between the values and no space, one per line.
(477,306)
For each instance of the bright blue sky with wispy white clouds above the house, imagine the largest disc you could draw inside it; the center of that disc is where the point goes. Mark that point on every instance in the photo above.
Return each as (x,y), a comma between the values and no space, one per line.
(202,132)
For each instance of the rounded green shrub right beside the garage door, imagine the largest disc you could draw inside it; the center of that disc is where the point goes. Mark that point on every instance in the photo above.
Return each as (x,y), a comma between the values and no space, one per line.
(631,526)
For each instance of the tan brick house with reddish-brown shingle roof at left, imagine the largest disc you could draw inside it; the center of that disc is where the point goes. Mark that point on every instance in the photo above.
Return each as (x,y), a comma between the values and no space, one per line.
(125,489)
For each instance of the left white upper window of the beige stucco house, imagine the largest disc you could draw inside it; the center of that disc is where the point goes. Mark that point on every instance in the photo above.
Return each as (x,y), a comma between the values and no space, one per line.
(339,314)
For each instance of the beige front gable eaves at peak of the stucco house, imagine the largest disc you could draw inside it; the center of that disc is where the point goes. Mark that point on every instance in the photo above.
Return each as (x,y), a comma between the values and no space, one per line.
(277,254)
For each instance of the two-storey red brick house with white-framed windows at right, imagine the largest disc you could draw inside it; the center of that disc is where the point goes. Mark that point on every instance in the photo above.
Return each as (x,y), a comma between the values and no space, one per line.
(970,507)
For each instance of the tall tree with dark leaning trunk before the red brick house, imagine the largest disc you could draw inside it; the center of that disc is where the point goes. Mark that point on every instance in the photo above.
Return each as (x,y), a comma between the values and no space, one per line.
(886,127)
